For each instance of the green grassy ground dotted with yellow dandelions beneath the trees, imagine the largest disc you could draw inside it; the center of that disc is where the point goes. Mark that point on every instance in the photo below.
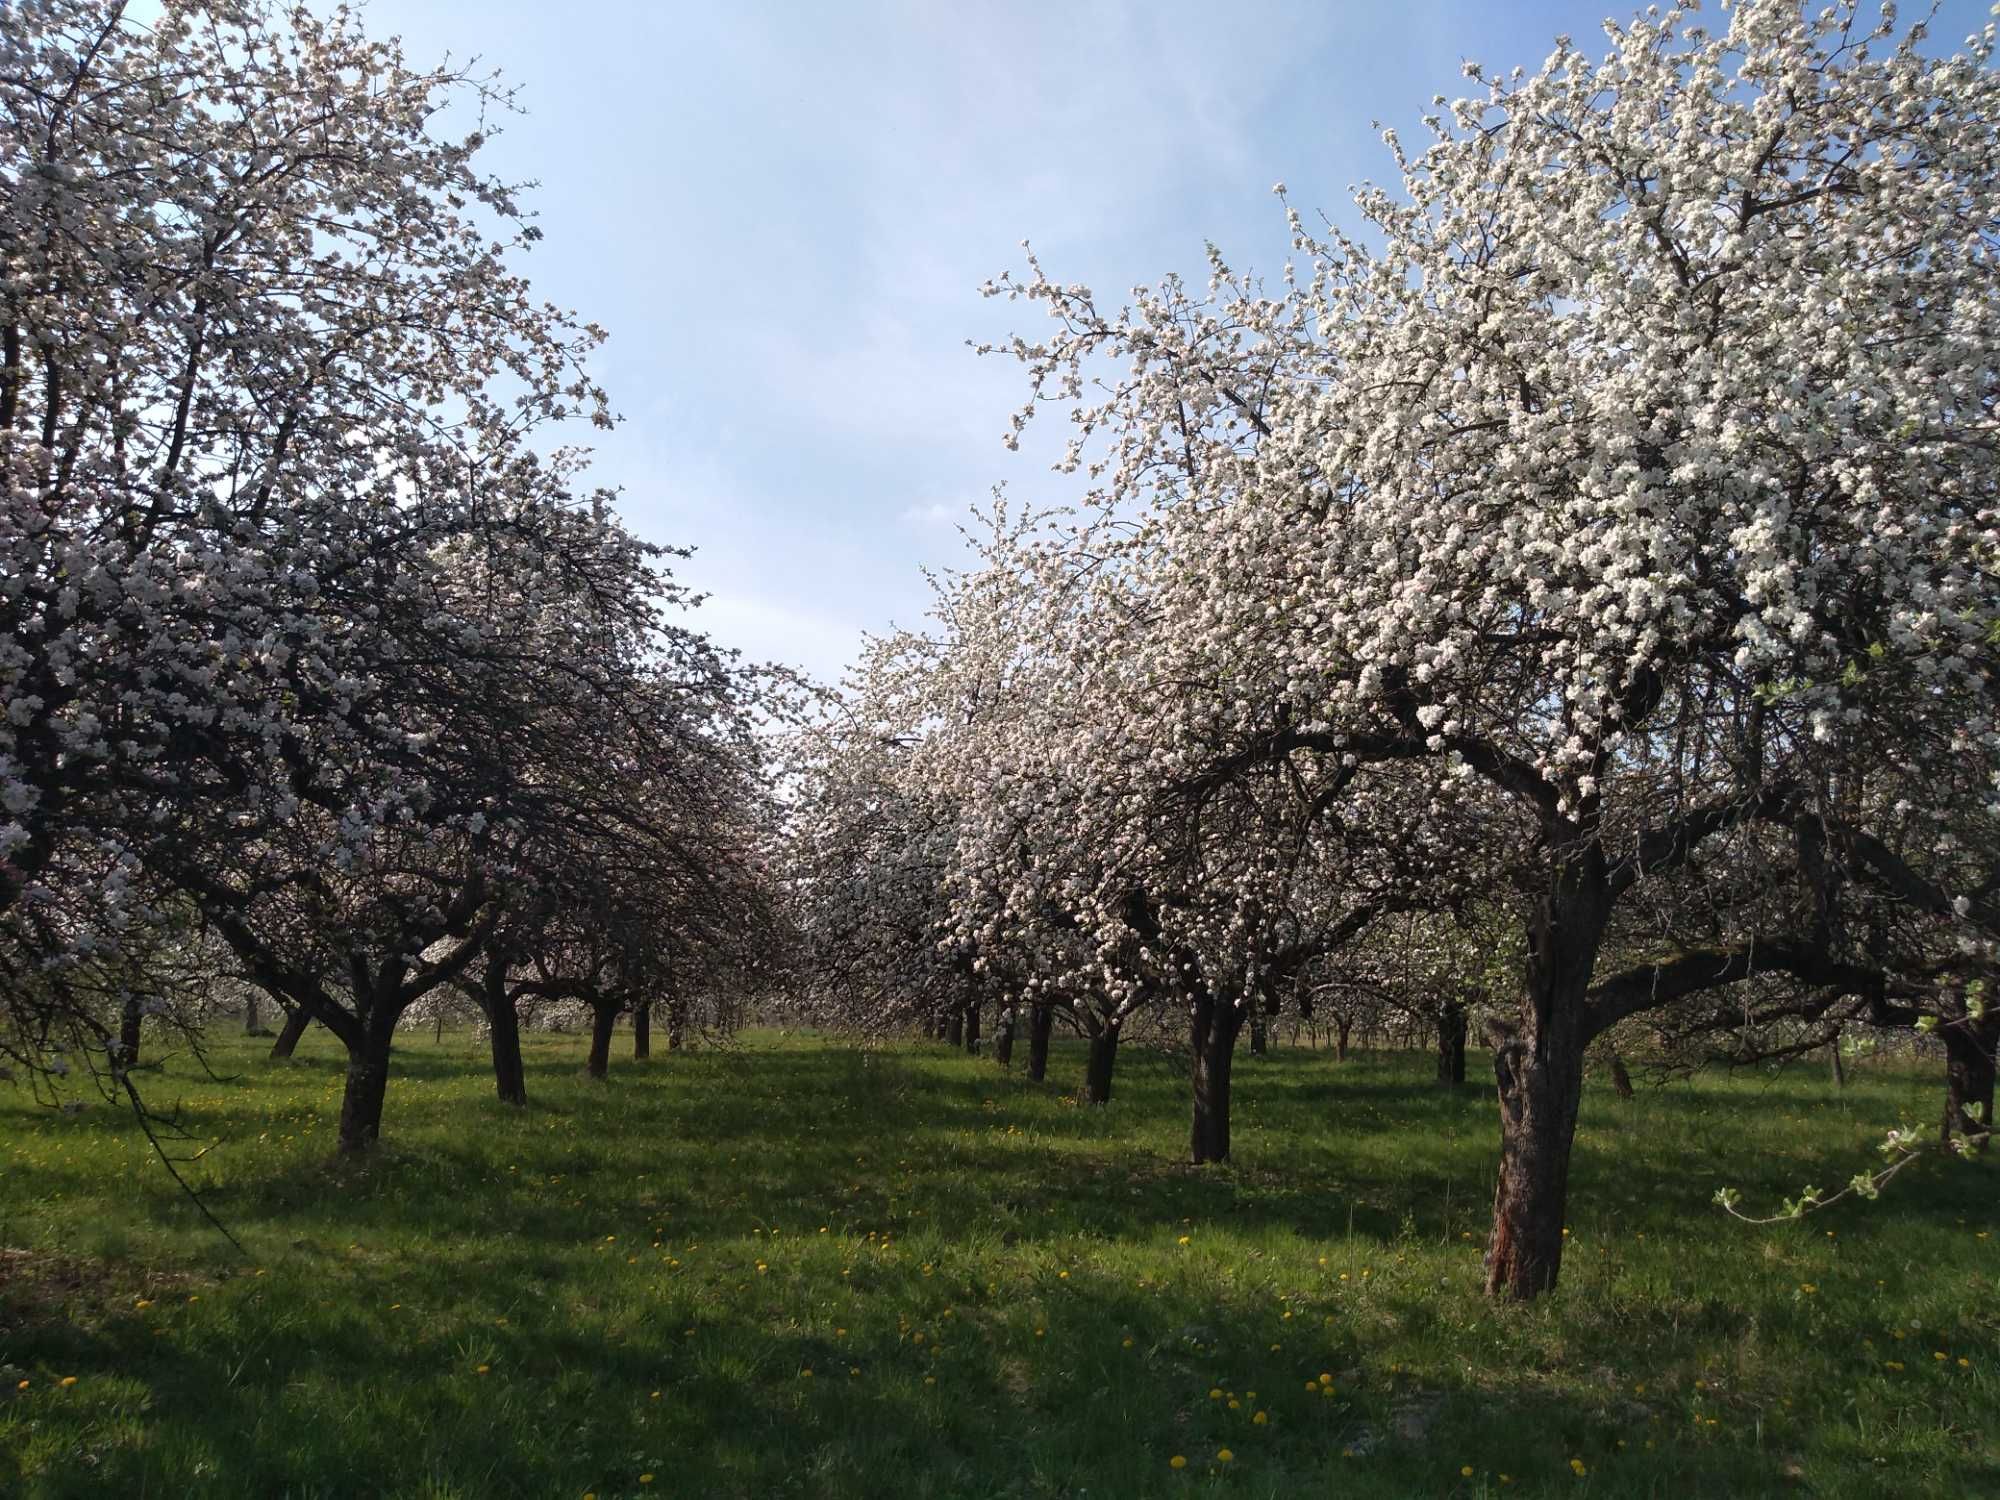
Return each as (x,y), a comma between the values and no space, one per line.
(803,1271)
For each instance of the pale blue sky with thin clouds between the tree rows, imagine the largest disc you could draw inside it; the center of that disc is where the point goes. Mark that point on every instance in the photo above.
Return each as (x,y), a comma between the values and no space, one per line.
(783,215)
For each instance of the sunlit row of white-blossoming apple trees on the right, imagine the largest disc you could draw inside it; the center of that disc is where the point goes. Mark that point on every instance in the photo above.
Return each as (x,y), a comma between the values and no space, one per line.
(1591,571)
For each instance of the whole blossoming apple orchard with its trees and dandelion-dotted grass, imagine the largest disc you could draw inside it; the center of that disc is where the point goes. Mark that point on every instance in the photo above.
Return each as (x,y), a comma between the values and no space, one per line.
(1549,627)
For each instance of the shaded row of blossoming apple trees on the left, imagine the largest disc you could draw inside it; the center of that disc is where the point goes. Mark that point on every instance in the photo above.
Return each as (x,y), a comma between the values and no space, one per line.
(315,669)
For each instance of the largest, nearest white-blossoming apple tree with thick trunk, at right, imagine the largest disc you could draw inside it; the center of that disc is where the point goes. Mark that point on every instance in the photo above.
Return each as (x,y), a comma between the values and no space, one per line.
(1635,465)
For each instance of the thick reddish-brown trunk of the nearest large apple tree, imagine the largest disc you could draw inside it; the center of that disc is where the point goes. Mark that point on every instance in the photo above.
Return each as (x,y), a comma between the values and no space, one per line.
(1539,1067)
